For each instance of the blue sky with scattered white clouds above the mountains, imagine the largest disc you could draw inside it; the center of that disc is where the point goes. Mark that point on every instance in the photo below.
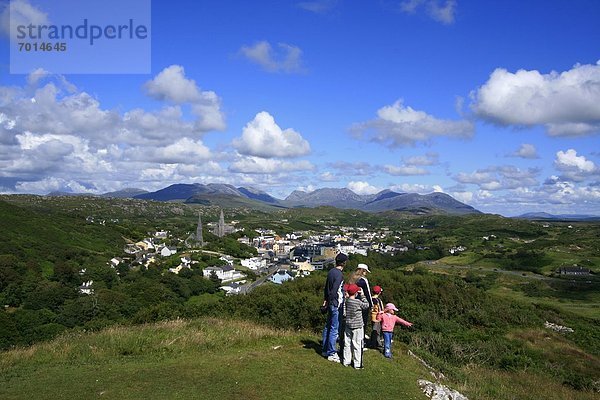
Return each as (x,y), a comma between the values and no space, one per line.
(496,103)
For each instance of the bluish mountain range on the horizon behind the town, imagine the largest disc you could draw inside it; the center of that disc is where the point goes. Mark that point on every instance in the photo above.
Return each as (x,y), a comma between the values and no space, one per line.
(385,200)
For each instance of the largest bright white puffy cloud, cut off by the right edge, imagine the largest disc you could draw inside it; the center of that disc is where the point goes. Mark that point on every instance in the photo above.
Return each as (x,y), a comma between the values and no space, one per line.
(565,103)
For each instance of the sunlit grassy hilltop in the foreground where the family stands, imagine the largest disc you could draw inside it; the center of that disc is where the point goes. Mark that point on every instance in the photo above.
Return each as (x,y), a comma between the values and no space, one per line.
(226,359)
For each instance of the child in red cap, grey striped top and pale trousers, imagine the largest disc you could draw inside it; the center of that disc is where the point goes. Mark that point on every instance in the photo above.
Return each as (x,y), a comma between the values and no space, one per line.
(354,330)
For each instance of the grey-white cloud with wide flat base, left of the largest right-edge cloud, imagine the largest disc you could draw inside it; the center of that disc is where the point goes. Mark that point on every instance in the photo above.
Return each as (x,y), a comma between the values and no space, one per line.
(398,125)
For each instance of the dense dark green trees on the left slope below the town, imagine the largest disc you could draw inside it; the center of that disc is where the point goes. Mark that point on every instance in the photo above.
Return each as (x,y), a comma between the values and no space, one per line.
(36,307)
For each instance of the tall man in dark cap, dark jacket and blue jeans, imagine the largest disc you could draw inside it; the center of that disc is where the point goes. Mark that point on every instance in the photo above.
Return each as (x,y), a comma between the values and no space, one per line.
(334,300)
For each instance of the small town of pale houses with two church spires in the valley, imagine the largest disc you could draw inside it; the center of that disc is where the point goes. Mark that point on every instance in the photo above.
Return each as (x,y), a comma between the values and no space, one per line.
(278,258)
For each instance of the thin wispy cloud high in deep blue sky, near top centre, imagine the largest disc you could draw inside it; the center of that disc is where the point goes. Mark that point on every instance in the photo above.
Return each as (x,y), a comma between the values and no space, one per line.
(285,58)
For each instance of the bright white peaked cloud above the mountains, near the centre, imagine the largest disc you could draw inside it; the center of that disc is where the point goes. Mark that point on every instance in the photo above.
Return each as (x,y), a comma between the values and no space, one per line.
(262,137)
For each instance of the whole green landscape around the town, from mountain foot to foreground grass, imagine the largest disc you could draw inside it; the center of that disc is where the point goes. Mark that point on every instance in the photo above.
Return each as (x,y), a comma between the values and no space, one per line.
(478,316)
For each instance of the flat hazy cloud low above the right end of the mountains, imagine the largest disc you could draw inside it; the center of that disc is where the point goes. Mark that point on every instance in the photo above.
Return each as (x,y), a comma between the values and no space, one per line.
(500,178)
